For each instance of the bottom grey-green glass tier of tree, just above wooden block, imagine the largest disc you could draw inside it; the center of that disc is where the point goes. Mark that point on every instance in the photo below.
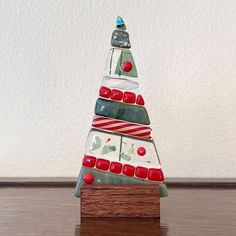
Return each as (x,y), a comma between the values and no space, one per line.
(101,177)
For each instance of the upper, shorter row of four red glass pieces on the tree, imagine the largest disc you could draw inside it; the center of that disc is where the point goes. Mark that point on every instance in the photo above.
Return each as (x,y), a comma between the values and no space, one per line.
(117,95)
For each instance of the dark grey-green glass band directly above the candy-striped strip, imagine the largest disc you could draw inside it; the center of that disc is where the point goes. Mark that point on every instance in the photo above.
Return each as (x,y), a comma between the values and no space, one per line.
(122,111)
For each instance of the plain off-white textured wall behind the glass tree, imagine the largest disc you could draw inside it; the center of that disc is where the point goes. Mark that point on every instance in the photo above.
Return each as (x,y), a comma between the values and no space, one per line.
(52,58)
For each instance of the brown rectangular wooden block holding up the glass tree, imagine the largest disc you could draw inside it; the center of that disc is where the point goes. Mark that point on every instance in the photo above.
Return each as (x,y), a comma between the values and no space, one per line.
(132,200)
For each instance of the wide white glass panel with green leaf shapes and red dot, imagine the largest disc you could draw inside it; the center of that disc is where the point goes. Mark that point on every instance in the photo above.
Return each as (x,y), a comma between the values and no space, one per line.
(124,149)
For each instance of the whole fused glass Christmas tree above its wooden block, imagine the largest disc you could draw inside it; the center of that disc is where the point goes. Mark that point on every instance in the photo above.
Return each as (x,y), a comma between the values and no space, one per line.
(119,147)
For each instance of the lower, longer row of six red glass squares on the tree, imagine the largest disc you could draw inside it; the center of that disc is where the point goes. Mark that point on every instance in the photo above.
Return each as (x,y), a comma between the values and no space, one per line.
(128,170)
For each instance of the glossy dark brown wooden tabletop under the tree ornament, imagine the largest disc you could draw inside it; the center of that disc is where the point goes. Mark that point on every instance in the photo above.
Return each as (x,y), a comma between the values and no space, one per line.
(55,211)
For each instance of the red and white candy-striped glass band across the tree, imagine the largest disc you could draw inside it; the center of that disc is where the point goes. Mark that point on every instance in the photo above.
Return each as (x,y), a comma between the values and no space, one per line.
(120,126)
